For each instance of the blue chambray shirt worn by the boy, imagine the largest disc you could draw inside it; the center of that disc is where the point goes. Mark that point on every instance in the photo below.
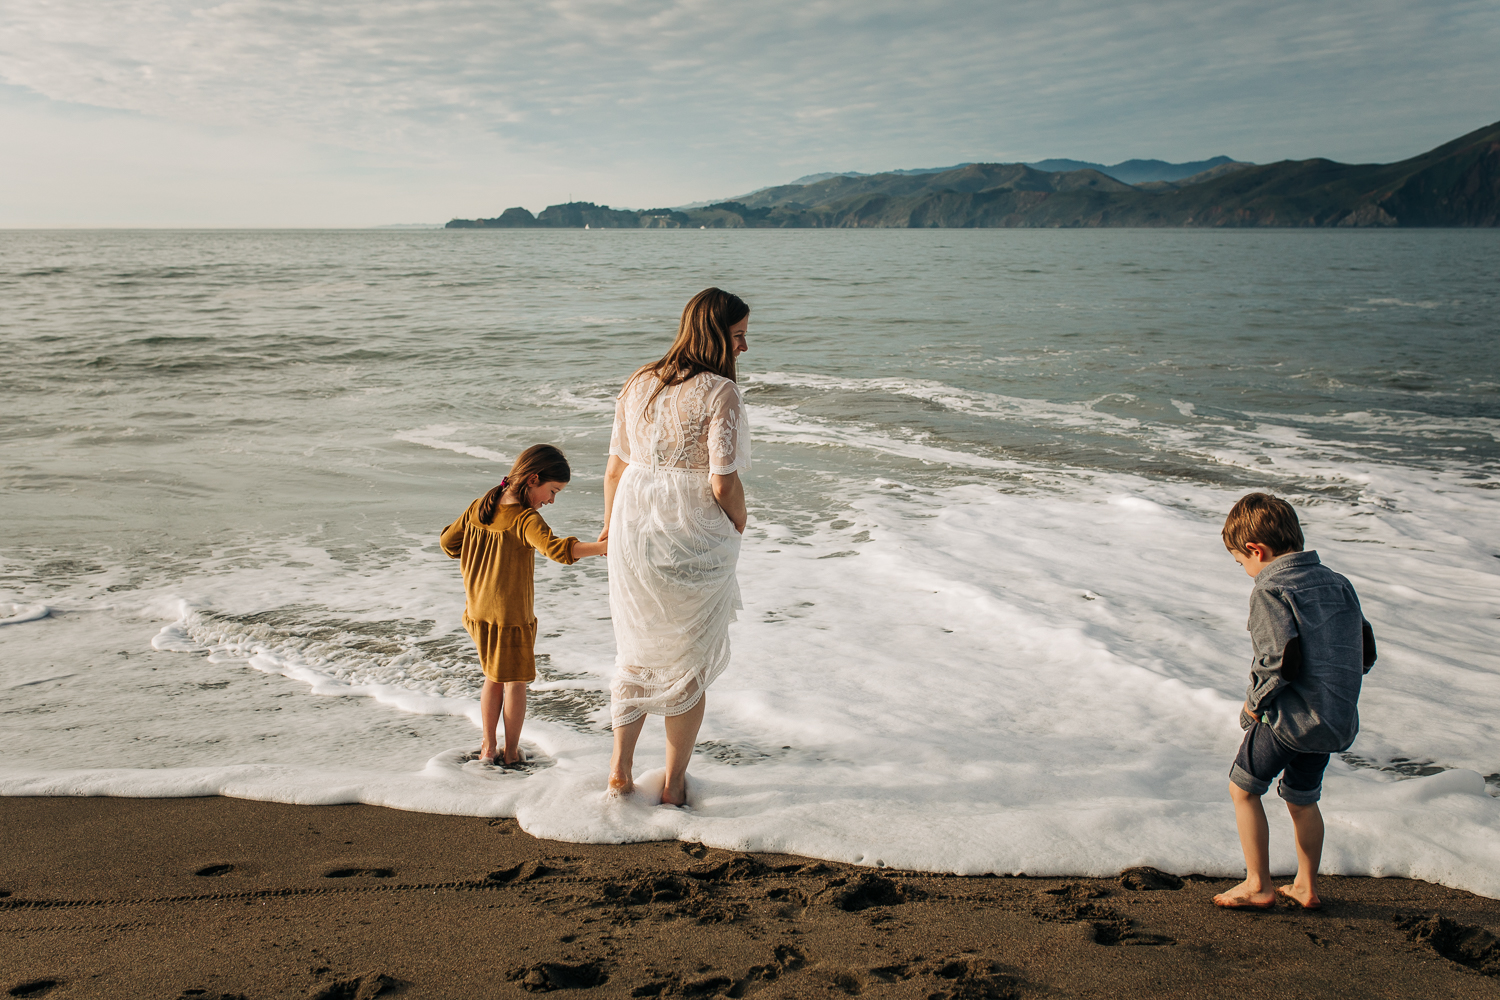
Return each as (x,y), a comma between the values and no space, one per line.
(1310,708)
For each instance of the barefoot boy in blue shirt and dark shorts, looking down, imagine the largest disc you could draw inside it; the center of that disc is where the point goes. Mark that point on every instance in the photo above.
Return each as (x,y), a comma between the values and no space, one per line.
(1312,650)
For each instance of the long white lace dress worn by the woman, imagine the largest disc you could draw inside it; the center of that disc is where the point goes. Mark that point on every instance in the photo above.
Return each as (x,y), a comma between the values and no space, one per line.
(673,551)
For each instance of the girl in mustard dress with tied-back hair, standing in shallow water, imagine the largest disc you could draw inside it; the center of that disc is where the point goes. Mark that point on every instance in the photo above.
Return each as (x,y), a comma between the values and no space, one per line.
(496,543)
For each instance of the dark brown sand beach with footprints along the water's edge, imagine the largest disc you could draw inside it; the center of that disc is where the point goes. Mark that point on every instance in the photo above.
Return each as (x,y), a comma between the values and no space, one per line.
(217,897)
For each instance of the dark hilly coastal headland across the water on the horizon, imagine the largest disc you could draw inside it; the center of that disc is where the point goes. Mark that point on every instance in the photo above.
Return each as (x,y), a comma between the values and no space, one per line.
(1454,185)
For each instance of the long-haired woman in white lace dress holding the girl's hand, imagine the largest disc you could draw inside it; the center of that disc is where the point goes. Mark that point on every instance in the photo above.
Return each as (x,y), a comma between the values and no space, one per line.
(674,512)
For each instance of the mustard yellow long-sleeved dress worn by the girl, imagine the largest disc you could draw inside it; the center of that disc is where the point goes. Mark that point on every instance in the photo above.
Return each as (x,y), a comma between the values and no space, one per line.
(499,561)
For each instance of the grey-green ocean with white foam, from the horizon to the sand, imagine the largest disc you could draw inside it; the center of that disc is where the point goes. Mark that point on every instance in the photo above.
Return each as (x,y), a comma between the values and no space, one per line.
(989,621)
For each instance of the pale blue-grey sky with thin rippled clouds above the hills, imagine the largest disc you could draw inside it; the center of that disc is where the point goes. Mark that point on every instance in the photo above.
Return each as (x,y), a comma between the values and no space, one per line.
(334,113)
